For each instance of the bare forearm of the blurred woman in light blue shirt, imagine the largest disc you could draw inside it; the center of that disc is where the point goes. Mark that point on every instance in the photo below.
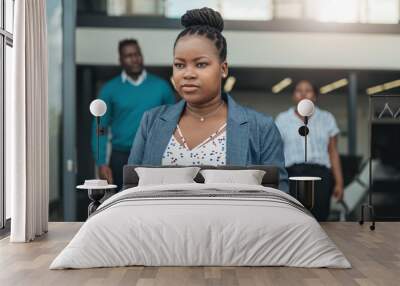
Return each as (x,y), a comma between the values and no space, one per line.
(336,168)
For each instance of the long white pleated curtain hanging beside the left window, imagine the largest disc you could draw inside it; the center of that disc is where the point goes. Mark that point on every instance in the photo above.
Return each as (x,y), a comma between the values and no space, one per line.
(27,124)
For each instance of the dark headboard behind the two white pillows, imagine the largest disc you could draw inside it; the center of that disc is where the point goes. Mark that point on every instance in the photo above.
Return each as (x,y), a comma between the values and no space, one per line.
(270,179)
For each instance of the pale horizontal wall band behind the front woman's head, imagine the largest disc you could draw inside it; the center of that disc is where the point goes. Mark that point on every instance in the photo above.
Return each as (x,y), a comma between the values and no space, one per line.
(252,49)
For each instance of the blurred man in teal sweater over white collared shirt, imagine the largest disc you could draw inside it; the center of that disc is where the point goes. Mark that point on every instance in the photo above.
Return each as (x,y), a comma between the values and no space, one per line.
(127,96)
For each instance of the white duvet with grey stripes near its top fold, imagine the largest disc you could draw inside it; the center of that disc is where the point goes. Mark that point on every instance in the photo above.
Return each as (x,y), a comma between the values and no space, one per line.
(183,231)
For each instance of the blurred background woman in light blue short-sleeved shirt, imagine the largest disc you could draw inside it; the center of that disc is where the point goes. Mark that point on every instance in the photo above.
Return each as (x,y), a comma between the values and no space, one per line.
(323,157)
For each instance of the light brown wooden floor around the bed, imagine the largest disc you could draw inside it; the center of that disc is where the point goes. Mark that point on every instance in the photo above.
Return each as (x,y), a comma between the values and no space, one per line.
(375,257)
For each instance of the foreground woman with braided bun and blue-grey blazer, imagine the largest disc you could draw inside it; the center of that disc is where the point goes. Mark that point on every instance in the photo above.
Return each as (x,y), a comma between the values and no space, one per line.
(207,127)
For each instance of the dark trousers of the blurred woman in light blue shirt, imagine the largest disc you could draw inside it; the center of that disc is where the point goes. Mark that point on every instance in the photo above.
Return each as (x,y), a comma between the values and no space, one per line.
(323,189)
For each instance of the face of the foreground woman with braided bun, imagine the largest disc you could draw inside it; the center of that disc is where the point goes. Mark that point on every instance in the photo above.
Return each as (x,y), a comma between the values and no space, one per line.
(197,69)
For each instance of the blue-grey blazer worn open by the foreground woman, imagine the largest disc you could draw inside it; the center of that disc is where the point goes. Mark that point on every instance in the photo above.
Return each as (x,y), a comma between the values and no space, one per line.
(252,138)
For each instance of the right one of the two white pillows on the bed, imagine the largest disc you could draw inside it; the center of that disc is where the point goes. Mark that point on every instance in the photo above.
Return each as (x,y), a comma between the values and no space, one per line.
(248,177)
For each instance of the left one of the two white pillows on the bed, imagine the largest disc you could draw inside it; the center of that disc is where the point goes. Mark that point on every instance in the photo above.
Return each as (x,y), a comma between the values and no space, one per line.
(166,176)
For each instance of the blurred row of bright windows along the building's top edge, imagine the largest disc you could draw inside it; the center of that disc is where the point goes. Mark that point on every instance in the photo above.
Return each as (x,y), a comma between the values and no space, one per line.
(340,11)
